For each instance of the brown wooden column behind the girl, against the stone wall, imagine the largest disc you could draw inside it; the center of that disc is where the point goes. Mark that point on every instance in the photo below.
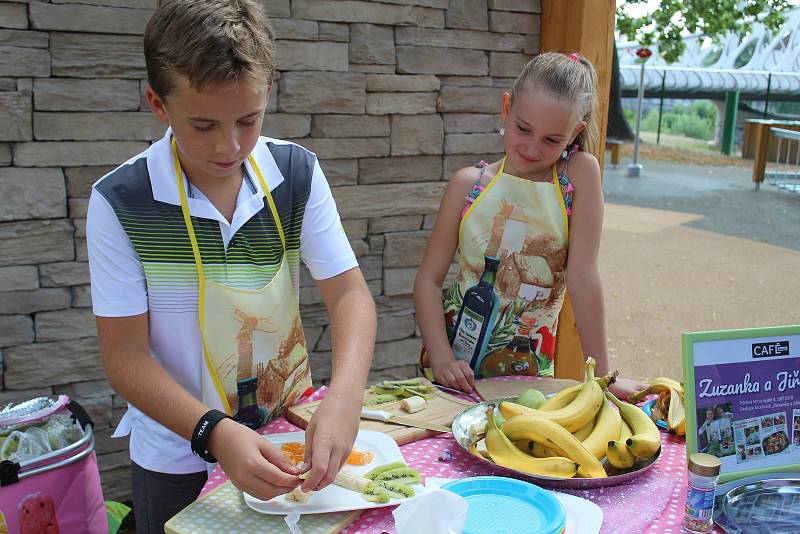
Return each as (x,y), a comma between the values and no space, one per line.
(586,27)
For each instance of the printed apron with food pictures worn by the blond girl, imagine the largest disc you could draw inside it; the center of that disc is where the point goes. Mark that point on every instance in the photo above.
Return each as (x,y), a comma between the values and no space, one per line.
(524,224)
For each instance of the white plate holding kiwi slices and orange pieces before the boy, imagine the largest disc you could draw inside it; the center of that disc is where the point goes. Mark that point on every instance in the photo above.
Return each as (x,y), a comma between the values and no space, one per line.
(334,498)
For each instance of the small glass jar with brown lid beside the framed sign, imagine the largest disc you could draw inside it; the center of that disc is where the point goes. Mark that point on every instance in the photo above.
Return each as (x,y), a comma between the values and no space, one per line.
(702,480)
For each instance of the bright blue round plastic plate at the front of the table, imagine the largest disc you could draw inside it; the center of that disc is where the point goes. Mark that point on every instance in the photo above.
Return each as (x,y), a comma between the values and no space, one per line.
(499,504)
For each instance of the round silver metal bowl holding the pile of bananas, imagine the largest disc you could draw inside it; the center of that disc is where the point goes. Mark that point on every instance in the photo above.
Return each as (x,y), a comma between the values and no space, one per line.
(476,415)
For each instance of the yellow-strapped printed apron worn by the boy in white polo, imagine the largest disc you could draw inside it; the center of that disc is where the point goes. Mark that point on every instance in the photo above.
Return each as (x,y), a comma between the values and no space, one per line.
(254,347)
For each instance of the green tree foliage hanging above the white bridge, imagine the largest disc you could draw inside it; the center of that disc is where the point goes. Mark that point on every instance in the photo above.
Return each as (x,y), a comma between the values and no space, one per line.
(712,18)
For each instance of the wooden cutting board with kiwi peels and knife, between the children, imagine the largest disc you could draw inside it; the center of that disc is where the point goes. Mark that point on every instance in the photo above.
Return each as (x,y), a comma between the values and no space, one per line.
(441,409)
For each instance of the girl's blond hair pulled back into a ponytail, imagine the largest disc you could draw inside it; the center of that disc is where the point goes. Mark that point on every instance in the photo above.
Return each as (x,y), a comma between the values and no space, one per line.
(571,77)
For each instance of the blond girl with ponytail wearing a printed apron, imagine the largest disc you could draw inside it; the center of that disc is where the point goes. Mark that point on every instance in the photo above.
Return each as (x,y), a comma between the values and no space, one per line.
(539,211)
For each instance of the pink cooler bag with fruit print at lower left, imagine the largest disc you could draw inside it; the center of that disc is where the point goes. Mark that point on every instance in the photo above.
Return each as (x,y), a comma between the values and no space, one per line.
(58,491)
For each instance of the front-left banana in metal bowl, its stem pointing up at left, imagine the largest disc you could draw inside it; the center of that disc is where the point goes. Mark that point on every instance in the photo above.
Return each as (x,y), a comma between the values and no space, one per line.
(506,454)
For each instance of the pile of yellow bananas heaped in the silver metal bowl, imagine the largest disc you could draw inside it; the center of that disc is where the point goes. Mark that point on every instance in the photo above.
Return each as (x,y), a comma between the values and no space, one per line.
(571,433)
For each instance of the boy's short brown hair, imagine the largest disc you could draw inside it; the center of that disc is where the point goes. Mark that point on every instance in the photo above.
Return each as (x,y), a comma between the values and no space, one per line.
(208,41)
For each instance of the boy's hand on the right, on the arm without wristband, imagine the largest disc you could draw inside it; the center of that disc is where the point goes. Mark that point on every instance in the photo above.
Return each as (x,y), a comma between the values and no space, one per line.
(329,438)
